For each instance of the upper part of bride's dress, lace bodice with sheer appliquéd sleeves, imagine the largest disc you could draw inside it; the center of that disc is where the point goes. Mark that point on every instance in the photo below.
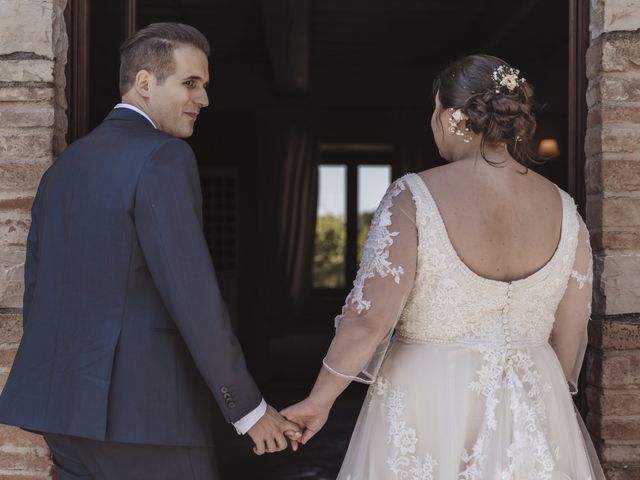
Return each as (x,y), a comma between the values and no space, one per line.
(426,291)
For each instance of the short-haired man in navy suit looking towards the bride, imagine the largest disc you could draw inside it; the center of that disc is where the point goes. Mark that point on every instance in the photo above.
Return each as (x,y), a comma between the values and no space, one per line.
(127,342)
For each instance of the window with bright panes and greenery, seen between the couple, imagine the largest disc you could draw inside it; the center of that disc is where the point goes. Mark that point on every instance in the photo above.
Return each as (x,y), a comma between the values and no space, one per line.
(351,184)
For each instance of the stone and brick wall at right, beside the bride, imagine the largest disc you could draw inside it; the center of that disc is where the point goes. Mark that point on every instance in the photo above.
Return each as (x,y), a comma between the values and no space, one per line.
(613,215)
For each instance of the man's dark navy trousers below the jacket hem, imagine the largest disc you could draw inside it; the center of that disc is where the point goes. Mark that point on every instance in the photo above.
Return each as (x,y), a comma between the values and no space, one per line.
(84,459)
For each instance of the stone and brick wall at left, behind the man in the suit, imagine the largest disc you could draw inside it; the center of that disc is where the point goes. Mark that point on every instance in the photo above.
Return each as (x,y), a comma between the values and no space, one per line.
(33,49)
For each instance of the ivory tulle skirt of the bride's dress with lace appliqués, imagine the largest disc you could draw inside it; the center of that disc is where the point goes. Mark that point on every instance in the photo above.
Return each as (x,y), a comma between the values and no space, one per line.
(449,412)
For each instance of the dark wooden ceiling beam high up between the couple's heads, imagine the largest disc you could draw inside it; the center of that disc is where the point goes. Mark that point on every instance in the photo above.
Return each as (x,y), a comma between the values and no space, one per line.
(286,25)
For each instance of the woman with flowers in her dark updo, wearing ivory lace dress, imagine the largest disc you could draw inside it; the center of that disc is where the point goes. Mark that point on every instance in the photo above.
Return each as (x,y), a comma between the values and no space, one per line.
(469,312)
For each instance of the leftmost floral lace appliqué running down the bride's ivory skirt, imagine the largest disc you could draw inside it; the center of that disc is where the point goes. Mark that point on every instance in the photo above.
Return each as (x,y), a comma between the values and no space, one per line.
(401,438)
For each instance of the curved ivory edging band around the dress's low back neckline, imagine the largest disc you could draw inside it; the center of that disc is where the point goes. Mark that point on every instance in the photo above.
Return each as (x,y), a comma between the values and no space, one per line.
(476,276)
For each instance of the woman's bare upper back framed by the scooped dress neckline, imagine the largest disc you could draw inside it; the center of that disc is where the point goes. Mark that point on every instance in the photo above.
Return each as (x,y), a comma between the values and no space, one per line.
(504,225)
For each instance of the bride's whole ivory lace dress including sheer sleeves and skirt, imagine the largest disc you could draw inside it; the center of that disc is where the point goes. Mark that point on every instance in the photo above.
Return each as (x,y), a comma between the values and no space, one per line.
(498,352)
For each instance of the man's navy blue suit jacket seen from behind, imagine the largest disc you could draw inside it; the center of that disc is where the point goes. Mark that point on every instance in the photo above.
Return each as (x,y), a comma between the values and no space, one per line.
(126,337)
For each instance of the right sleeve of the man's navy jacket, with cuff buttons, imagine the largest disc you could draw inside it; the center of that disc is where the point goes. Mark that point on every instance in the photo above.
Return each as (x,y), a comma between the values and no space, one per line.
(168,216)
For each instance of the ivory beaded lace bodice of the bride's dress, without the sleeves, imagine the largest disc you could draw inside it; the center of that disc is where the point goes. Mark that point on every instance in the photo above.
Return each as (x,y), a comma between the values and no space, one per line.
(449,301)
